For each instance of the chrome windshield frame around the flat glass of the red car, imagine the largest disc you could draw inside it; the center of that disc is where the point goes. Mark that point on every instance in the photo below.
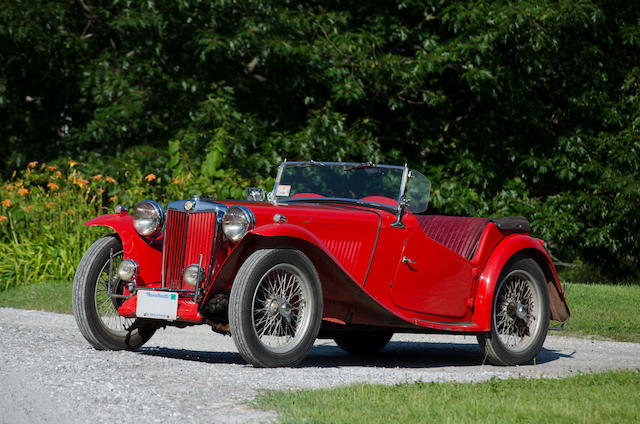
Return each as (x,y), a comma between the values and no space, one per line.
(400,199)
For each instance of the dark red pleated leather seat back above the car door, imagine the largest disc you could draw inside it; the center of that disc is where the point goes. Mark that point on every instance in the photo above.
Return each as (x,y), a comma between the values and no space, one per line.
(457,233)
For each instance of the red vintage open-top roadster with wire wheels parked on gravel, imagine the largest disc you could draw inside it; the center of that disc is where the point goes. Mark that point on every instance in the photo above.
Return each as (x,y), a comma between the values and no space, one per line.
(337,250)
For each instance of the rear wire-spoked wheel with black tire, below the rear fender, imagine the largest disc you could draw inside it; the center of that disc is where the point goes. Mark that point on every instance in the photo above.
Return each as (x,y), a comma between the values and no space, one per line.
(519,315)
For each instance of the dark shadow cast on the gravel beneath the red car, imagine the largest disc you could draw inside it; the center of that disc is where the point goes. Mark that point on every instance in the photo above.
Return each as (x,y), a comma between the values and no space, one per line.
(396,354)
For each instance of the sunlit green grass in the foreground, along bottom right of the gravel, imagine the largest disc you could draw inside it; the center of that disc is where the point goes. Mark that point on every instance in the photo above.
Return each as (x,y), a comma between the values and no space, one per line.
(599,398)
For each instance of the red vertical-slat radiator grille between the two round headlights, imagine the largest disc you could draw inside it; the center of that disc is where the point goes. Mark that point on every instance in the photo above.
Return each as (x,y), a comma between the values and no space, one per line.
(188,235)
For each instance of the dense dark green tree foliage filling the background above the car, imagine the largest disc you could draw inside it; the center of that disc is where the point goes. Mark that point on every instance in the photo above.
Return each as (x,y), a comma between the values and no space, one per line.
(525,107)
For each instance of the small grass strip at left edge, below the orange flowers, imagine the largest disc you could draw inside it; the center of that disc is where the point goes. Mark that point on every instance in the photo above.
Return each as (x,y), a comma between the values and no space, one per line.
(50,296)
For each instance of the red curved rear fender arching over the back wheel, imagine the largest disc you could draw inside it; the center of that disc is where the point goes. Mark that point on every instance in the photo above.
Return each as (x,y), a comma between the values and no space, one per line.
(509,246)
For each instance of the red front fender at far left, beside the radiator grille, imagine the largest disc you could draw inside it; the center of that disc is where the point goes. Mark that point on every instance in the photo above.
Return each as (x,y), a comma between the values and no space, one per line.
(147,254)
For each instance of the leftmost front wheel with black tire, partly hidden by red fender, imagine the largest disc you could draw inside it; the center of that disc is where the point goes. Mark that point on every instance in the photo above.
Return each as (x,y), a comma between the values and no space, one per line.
(95,312)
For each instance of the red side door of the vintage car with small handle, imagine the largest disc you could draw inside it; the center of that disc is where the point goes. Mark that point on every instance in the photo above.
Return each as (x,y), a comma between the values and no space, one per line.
(431,279)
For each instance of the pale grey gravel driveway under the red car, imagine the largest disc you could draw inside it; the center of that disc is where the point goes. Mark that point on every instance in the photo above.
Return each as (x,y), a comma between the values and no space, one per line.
(49,373)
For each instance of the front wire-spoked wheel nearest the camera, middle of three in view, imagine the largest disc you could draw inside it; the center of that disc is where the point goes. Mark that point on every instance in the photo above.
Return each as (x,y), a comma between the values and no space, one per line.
(275,308)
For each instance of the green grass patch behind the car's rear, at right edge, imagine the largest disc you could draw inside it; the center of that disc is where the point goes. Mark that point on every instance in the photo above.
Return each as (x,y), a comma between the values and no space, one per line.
(604,311)
